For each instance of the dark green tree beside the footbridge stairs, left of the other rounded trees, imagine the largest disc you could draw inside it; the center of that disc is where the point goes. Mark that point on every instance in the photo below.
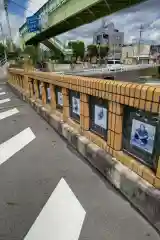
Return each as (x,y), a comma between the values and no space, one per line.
(78,48)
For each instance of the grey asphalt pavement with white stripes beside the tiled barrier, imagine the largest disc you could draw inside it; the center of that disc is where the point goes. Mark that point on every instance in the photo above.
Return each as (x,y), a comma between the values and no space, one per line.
(38,170)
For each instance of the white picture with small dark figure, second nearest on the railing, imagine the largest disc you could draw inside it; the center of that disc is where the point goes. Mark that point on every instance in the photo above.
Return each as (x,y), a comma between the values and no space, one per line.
(100,117)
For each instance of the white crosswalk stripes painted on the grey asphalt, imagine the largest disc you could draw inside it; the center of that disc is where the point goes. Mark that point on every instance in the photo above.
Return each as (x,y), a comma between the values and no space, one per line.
(62,209)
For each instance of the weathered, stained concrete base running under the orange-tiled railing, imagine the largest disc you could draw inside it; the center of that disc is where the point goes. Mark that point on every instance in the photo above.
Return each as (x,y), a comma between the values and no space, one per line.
(140,193)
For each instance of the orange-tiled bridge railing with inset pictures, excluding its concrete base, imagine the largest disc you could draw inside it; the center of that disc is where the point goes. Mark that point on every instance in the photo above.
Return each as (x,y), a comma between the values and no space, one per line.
(121,118)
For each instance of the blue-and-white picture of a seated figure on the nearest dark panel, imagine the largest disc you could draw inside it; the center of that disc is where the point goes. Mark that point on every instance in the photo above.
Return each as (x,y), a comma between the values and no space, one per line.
(143,135)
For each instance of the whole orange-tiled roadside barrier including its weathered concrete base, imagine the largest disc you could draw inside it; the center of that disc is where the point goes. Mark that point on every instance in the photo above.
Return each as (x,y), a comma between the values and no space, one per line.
(114,125)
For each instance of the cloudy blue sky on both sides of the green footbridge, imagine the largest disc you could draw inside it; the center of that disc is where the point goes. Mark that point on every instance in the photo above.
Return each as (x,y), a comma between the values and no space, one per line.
(128,21)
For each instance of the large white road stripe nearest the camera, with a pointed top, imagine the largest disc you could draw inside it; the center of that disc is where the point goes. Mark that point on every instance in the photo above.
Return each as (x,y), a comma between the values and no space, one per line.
(61,218)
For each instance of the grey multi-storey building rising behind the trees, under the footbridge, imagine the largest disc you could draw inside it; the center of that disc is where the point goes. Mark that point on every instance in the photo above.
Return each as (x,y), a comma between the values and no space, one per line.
(107,34)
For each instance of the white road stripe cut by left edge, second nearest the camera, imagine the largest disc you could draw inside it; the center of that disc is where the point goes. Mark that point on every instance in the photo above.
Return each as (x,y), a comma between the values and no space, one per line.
(15,144)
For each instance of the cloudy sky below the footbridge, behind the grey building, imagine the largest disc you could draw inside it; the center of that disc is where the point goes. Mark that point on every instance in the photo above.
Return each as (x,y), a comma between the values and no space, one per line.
(127,21)
